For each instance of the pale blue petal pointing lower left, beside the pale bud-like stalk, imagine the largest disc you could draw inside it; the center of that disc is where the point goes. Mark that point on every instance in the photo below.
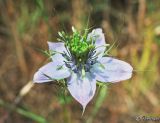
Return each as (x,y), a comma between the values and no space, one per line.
(51,71)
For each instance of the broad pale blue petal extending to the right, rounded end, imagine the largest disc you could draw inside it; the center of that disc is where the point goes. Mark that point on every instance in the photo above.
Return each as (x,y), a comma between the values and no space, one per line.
(112,70)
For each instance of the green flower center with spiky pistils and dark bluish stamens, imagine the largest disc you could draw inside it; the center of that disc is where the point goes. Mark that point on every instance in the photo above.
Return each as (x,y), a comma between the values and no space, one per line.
(81,51)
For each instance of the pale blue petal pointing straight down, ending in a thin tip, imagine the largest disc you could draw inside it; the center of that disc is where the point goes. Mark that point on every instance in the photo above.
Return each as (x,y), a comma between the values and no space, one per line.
(82,89)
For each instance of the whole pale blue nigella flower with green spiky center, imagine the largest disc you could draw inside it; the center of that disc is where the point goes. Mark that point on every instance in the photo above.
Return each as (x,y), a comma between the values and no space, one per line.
(80,60)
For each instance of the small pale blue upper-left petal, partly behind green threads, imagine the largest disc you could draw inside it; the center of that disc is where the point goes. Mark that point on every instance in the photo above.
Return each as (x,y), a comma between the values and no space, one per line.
(58,47)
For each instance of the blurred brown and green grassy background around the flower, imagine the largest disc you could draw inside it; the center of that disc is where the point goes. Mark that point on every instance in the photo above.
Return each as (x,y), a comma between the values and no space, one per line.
(27,25)
